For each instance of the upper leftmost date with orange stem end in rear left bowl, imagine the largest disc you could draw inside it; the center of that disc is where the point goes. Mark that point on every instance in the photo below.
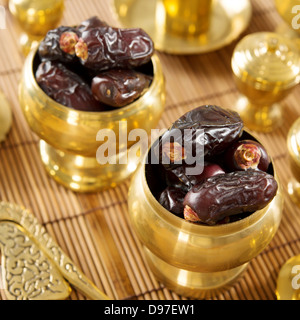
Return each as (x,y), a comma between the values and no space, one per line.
(59,44)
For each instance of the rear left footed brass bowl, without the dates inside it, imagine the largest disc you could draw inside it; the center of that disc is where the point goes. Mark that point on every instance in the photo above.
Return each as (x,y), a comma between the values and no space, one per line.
(68,143)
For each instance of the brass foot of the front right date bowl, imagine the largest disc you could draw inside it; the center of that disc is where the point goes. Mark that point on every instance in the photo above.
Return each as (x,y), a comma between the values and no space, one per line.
(197,285)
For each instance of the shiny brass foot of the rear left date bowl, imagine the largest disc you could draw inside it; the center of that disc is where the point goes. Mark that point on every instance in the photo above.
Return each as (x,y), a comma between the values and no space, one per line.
(83,174)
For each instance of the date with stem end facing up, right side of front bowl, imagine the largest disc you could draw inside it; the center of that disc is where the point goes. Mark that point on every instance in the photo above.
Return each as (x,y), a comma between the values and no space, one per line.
(247,154)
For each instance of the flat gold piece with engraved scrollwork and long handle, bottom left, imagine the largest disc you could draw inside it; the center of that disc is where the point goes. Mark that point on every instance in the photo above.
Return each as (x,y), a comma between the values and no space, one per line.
(33,266)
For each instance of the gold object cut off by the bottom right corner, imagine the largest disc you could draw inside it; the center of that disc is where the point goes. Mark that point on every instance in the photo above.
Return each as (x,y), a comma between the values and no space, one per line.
(288,280)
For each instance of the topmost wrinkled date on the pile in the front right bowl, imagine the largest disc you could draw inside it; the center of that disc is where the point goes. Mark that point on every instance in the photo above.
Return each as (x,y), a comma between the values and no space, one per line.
(221,127)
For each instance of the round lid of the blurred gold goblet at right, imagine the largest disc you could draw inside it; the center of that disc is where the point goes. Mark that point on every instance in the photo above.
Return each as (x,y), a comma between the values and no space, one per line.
(267,60)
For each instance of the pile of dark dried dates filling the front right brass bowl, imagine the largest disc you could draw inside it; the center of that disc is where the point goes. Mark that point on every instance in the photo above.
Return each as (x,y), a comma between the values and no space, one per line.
(237,177)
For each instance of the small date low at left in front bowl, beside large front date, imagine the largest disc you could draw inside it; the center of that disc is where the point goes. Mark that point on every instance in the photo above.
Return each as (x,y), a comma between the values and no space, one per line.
(172,199)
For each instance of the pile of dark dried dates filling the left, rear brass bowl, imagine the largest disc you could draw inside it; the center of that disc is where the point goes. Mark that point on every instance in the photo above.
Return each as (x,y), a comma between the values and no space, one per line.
(95,67)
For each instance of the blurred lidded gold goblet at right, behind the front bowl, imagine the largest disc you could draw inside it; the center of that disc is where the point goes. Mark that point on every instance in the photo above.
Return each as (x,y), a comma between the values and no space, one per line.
(266,68)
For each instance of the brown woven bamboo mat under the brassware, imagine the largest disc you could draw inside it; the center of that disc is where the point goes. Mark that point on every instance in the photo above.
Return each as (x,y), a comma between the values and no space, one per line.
(93,229)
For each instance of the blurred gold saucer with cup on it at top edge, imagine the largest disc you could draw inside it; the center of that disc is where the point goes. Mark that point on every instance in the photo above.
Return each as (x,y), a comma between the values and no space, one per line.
(186,27)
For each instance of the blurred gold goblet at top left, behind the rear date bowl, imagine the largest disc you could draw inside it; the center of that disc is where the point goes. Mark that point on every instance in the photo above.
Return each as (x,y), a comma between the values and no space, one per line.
(35,18)
